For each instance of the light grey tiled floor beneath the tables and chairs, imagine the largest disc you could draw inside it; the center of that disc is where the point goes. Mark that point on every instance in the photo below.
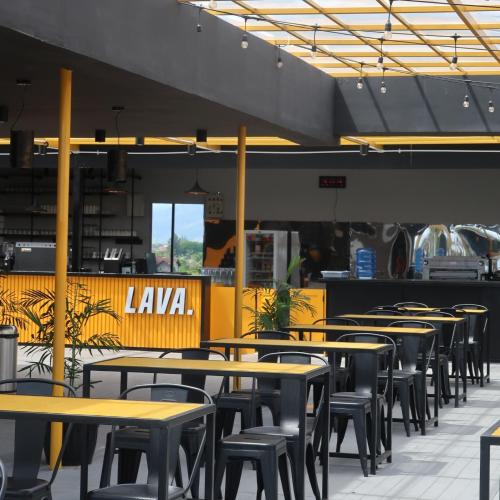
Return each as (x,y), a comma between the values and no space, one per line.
(442,465)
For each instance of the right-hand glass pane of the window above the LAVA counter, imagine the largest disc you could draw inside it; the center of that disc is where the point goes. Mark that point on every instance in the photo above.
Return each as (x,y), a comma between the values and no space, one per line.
(188,238)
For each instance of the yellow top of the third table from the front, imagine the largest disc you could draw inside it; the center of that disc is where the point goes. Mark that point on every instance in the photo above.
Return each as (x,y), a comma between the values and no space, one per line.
(297,344)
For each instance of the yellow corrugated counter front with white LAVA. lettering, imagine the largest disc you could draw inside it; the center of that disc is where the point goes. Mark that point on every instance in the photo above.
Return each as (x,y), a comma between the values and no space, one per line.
(157,311)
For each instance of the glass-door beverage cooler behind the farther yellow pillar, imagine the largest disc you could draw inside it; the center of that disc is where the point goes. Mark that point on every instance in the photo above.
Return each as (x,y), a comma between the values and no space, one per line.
(267,256)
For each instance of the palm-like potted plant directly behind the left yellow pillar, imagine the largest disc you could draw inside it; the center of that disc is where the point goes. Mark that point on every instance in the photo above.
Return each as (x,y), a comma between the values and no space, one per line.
(39,306)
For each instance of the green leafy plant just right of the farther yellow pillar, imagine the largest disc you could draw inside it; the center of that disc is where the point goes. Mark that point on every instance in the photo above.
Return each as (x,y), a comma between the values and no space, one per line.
(281,303)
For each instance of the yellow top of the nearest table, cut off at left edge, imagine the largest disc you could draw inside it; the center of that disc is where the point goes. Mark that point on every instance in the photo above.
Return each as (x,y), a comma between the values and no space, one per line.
(100,408)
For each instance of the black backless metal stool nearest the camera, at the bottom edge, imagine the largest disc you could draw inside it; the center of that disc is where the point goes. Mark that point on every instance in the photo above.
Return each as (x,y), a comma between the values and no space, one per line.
(270,454)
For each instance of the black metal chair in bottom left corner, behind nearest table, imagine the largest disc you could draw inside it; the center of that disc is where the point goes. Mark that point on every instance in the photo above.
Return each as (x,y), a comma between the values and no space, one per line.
(29,441)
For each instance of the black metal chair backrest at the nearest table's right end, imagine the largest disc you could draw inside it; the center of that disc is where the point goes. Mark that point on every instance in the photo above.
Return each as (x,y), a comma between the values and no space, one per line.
(177,393)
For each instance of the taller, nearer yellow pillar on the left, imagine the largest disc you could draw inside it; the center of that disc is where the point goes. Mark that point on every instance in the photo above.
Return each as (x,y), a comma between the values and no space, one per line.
(63,174)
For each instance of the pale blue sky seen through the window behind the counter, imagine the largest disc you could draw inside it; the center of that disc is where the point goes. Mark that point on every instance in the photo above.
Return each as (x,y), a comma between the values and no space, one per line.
(189,222)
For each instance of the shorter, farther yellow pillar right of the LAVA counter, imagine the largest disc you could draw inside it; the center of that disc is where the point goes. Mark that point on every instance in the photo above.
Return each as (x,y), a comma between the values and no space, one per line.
(240,229)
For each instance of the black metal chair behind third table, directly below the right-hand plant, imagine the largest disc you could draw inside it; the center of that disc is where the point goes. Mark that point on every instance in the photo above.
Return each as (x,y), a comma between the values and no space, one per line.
(268,391)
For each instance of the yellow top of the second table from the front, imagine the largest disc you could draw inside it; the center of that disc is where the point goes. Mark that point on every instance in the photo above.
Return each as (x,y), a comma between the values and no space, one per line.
(211,366)
